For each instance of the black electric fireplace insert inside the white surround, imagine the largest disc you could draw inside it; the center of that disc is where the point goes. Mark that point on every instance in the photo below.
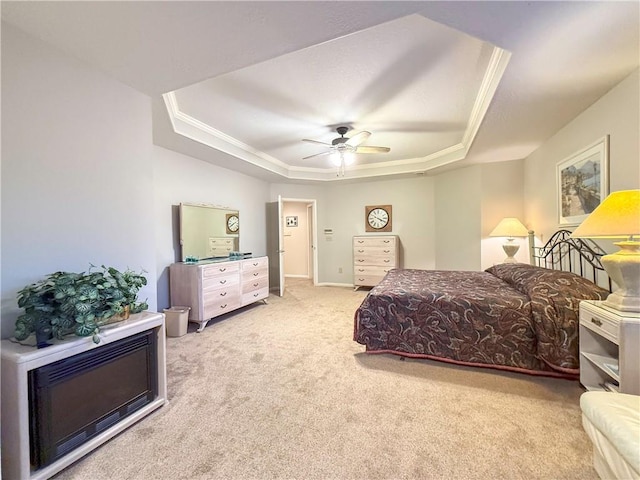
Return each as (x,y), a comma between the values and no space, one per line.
(73,400)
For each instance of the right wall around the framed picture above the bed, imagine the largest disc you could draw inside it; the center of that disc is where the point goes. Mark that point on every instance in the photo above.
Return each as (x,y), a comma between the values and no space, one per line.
(615,114)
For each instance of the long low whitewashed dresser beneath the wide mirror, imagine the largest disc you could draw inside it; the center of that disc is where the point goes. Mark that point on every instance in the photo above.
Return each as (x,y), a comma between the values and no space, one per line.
(215,287)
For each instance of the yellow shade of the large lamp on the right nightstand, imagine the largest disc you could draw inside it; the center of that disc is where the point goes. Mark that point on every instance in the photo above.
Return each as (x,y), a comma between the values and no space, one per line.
(618,216)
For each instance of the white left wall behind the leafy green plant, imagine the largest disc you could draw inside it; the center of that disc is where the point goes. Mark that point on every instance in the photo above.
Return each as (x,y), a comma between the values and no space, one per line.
(77,183)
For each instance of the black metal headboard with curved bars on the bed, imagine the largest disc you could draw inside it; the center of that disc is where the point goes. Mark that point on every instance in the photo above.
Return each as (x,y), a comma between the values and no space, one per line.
(578,255)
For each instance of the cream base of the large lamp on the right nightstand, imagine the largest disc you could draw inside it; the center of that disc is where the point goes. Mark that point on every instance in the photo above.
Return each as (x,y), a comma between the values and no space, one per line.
(623,268)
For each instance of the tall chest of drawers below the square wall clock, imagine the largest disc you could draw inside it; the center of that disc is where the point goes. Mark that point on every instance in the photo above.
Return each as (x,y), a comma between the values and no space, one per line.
(373,257)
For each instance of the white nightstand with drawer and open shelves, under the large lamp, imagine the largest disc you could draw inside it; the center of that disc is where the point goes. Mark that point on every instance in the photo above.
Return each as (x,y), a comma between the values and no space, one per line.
(609,348)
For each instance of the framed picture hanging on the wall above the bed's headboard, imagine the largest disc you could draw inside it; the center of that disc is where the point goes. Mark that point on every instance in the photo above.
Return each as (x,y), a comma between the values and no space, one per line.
(582,182)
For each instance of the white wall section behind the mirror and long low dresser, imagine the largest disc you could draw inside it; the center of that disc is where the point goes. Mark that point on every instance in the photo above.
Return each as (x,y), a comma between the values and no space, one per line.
(182,179)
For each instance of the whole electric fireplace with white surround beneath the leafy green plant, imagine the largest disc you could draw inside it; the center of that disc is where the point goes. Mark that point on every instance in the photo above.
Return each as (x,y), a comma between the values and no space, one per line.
(61,402)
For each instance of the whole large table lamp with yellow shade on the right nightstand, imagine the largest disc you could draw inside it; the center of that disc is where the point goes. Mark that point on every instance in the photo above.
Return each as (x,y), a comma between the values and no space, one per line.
(618,216)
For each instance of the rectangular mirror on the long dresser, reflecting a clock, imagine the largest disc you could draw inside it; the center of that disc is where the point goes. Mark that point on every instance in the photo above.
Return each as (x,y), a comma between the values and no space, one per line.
(207,231)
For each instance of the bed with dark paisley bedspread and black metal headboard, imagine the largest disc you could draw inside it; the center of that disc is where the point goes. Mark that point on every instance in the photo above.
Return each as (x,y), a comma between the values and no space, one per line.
(512,316)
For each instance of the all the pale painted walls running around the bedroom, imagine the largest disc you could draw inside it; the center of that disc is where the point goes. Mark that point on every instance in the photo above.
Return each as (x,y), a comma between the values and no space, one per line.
(82,182)
